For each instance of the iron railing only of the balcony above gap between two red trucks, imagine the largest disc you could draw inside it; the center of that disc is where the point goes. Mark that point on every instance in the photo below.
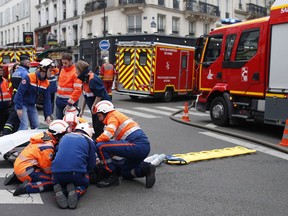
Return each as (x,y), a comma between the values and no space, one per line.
(202,7)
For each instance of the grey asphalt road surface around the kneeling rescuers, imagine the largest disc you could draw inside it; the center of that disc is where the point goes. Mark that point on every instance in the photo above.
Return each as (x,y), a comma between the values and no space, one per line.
(253,184)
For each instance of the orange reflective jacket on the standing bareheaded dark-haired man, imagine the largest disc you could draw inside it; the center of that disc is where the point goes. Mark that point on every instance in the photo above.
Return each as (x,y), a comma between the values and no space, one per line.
(69,86)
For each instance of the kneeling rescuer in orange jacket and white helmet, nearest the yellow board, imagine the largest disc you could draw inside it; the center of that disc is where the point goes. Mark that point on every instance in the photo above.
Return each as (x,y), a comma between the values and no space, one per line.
(130,142)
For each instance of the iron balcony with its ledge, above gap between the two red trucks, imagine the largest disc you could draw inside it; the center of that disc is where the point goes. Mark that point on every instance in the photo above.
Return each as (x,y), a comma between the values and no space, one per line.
(201,10)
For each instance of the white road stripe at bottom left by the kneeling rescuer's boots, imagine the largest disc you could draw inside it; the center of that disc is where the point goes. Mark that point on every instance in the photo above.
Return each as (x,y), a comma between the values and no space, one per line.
(7,197)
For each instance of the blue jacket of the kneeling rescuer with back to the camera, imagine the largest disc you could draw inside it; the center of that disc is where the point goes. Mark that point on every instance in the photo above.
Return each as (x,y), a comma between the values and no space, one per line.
(76,153)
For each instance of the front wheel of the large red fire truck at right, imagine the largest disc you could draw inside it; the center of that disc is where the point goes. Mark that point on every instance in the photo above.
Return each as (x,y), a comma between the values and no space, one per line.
(219,112)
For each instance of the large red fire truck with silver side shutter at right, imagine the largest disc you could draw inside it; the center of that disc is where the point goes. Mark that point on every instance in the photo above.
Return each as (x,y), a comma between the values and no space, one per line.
(243,70)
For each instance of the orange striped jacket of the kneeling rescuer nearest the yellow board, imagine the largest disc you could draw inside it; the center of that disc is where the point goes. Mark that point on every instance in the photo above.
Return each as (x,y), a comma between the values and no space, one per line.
(118,126)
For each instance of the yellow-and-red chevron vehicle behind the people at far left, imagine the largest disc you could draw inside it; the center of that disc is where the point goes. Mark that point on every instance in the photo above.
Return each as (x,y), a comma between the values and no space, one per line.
(17,53)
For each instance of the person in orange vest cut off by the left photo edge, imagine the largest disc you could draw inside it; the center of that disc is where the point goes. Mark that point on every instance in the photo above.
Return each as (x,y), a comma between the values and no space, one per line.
(5,100)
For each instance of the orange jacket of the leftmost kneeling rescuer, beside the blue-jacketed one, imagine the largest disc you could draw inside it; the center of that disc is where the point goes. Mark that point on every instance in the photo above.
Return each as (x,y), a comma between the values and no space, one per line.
(39,153)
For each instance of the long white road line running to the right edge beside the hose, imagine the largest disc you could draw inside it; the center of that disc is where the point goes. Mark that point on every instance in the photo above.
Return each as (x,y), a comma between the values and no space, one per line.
(248,145)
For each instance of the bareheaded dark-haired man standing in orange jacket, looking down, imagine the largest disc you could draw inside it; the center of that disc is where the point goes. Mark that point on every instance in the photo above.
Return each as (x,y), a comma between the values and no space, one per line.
(69,86)
